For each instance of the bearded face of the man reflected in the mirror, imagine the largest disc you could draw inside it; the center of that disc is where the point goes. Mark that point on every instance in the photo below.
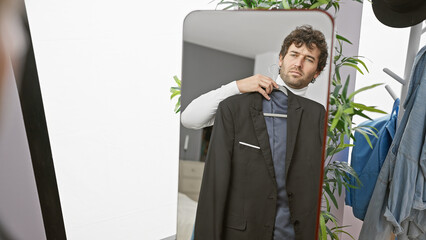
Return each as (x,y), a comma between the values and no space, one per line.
(299,66)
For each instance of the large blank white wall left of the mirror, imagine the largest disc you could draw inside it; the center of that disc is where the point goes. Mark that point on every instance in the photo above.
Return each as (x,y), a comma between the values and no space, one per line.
(105,70)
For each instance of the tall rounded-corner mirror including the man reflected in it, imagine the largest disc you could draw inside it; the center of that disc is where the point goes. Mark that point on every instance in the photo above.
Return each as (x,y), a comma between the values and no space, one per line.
(254,94)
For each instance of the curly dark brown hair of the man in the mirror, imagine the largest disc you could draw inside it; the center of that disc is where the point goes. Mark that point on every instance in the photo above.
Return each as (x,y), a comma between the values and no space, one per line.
(311,38)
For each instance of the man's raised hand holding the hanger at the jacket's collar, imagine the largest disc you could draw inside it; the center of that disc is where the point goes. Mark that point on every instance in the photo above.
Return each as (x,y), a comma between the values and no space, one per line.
(257,83)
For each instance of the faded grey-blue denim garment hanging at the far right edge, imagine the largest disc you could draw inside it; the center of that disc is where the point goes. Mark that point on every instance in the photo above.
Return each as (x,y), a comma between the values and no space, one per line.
(398,203)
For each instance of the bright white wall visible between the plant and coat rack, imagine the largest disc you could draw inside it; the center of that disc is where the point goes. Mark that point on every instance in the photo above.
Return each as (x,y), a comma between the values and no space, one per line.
(383,47)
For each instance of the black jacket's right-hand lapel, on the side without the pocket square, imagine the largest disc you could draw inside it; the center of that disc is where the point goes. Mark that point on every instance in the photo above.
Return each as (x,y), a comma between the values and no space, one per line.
(294,114)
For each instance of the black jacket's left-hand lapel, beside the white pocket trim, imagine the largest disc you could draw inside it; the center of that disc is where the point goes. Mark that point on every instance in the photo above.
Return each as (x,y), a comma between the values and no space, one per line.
(262,133)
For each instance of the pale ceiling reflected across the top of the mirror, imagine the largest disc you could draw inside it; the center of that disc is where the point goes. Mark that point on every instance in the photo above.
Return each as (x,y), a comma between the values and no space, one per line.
(248,33)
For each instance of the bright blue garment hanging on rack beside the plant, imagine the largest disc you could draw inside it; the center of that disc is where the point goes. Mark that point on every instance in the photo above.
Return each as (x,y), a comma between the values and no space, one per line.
(367,161)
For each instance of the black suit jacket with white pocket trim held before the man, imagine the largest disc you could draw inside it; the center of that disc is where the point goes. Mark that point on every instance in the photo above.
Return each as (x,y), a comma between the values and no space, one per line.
(239,193)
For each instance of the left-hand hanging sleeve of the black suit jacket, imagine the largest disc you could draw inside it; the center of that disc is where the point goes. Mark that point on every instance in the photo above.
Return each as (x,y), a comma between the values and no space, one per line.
(213,194)
